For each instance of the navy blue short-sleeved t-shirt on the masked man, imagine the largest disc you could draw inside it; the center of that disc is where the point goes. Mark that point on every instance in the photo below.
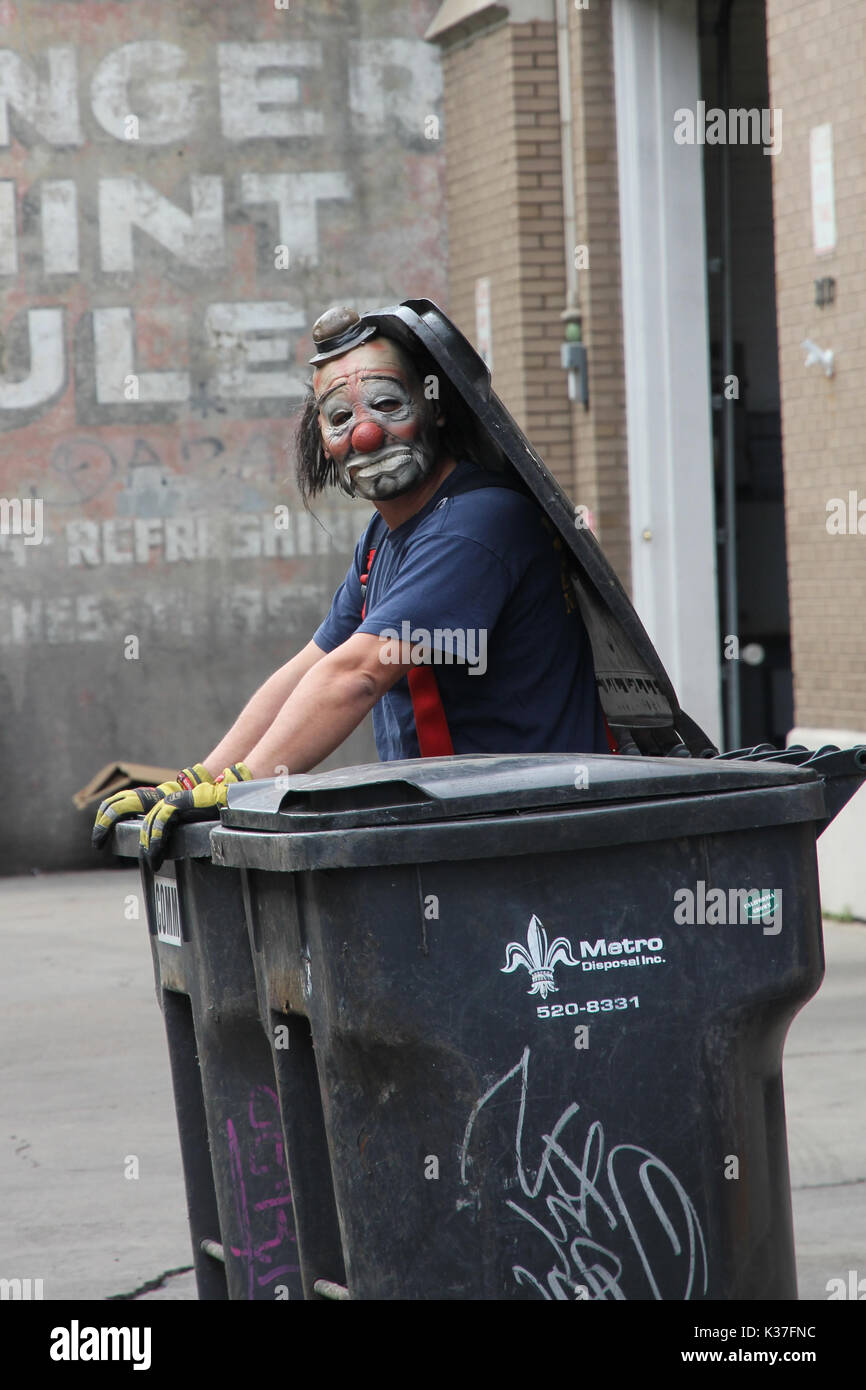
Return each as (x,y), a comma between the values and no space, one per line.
(475,582)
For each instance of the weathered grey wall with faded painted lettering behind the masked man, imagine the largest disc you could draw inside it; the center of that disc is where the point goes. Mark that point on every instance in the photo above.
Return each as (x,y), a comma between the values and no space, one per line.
(186,187)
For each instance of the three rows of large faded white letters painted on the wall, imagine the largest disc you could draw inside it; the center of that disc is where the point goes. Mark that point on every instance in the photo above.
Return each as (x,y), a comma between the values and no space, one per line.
(138,102)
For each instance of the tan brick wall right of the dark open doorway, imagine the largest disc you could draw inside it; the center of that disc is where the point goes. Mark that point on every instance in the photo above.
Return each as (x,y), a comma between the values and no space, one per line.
(817,74)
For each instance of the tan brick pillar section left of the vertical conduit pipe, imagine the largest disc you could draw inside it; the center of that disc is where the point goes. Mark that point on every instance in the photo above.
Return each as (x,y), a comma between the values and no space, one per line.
(504,190)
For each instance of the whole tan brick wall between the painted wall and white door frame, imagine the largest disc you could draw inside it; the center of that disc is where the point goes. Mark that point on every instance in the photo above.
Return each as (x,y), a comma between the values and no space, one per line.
(505,219)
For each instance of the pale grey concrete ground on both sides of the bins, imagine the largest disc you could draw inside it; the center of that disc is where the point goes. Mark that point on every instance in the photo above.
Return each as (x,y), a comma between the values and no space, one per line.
(85,1089)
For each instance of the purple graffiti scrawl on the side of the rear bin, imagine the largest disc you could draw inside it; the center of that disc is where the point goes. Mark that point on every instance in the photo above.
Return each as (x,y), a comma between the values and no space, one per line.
(263,1200)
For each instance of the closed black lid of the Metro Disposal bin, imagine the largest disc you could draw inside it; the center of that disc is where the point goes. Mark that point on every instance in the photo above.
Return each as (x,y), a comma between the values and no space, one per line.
(446,789)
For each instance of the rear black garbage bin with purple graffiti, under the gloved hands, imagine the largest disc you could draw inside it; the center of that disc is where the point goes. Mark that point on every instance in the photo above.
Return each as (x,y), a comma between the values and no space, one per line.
(240,1202)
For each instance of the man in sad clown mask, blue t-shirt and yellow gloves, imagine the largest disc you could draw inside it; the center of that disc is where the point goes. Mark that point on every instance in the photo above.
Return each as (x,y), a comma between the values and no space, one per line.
(455,625)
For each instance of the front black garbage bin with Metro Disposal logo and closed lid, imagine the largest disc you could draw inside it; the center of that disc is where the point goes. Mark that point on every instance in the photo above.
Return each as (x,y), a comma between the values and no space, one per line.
(537,1006)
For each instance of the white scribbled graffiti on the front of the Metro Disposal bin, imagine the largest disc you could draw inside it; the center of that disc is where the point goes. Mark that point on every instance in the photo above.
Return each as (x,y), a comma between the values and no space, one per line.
(604,1216)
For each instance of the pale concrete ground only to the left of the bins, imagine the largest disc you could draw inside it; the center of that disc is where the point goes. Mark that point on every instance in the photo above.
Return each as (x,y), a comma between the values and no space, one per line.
(85,1088)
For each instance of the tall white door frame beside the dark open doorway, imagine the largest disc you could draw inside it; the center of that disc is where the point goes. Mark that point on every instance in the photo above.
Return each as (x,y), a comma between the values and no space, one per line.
(667,348)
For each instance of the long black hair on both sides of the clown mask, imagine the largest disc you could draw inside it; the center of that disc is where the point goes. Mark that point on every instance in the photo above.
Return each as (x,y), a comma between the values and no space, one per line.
(461,437)
